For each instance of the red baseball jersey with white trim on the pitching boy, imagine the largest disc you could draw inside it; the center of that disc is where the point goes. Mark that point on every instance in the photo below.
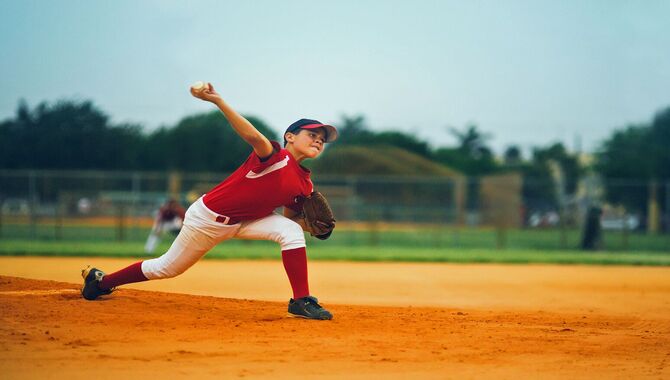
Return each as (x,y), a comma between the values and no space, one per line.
(258,187)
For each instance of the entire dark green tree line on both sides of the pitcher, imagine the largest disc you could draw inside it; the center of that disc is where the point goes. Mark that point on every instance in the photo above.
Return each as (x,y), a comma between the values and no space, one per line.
(77,135)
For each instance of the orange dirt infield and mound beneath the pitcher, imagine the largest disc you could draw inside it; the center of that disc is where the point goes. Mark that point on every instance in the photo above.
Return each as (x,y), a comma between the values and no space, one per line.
(392,320)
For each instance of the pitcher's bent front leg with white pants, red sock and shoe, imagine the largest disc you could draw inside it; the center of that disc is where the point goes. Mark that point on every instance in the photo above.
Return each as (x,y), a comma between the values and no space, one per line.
(291,238)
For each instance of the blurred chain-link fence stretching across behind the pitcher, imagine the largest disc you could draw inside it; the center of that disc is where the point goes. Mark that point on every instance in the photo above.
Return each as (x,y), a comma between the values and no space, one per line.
(499,211)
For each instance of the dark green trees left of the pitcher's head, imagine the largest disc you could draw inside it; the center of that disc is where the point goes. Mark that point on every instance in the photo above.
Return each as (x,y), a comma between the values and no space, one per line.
(78,135)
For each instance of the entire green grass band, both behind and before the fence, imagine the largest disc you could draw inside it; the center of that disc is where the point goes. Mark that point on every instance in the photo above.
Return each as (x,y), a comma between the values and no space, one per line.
(410,243)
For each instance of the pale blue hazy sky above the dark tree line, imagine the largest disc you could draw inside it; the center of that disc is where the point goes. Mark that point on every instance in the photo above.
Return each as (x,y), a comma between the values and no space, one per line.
(529,73)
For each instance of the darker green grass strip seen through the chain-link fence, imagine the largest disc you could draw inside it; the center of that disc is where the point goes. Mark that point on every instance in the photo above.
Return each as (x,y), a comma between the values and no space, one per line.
(411,237)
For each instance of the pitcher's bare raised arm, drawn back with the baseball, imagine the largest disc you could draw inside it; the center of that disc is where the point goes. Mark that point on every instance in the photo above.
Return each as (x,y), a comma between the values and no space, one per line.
(242,126)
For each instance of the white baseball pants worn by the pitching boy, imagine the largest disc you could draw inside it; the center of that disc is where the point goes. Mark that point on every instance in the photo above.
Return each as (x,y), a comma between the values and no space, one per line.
(201,232)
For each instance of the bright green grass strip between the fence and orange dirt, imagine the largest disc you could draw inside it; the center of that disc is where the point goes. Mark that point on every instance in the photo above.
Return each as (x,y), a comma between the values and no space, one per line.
(324,251)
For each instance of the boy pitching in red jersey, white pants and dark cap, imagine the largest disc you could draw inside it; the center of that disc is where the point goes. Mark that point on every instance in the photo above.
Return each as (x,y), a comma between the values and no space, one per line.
(242,207)
